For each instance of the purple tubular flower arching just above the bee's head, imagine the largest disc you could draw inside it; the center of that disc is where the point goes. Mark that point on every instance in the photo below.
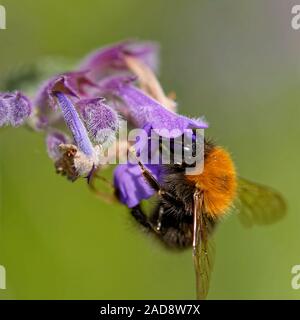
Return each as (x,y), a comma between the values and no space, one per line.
(144,111)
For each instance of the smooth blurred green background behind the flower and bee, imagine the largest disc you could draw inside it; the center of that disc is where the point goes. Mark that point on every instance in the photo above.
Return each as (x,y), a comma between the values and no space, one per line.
(236,62)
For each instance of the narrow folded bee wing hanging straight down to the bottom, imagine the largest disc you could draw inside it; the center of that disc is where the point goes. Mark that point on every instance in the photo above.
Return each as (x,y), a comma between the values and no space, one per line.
(203,248)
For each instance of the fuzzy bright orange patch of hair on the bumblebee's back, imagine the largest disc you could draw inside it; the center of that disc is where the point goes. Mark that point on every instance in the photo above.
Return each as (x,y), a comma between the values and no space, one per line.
(218,182)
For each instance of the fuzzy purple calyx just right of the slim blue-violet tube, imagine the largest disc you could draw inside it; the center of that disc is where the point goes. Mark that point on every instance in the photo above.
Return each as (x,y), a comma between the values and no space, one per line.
(102,121)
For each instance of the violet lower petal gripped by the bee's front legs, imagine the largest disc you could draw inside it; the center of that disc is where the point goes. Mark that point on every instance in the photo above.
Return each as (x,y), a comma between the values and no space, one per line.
(131,185)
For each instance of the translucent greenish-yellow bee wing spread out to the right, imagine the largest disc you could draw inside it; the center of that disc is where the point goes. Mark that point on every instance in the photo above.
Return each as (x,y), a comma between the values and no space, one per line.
(257,204)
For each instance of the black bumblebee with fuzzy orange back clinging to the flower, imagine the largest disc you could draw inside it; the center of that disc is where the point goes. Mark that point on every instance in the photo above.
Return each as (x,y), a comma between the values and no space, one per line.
(190,206)
